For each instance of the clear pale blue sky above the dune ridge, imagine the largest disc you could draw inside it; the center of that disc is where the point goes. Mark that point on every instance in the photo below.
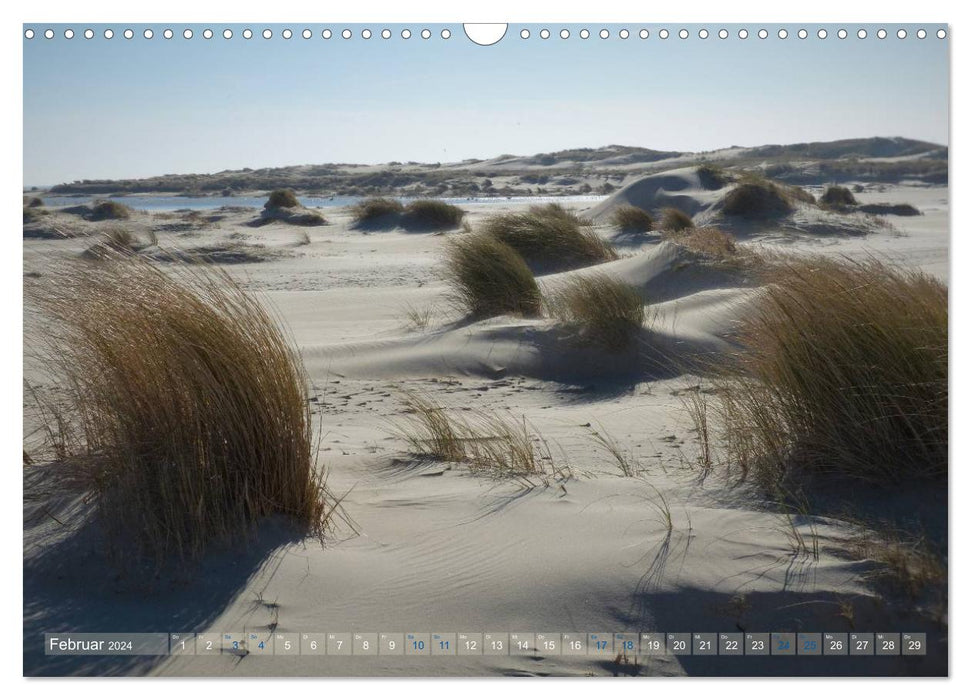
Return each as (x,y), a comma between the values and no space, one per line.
(123,108)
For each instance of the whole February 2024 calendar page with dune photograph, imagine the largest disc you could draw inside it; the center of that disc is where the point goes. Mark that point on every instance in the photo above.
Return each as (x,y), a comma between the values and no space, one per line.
(404,349)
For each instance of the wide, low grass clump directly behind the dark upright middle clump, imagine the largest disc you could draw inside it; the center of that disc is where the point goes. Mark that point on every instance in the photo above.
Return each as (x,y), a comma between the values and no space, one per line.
(550,238)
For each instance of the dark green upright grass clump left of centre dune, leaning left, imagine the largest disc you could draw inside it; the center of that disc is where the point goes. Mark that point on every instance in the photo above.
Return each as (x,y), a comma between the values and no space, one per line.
(488,278)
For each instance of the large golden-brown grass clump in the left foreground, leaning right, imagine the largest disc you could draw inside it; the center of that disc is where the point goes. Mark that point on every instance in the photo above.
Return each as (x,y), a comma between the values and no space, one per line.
(185,408)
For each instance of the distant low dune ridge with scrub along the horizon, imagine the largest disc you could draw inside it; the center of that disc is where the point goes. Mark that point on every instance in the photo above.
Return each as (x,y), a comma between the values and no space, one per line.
(573,171)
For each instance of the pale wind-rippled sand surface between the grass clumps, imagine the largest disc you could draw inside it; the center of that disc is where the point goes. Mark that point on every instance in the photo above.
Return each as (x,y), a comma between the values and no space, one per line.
(431,547)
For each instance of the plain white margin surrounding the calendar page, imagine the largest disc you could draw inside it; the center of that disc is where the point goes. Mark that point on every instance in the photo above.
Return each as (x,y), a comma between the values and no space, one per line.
(707,11)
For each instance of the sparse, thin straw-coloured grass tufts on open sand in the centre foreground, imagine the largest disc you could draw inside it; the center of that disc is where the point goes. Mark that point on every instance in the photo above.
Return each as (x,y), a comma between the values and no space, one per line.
(490,444)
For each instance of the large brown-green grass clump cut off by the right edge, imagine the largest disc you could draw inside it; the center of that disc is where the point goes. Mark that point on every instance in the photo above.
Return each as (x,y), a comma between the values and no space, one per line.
(842,370)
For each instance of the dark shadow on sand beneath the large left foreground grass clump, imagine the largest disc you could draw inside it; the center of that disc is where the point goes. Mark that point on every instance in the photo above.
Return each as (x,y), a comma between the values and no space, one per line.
(71,586)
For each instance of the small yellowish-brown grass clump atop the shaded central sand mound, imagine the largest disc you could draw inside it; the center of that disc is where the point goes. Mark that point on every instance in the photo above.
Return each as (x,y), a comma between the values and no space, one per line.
(608,313)
